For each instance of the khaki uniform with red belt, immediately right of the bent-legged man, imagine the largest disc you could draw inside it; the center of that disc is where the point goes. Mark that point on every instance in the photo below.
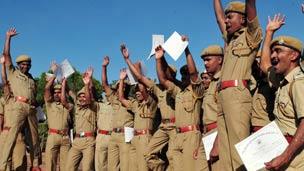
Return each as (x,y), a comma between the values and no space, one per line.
(188,144)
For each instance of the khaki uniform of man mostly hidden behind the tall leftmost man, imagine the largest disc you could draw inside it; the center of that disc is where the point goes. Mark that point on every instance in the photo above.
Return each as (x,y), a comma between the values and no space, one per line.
(18,159)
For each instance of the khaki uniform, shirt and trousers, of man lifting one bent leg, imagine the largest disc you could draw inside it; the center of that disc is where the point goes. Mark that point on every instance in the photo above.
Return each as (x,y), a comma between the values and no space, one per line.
(166,132)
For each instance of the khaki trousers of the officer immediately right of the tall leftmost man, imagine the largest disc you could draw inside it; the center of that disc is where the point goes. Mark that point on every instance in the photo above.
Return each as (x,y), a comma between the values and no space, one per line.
(56,144)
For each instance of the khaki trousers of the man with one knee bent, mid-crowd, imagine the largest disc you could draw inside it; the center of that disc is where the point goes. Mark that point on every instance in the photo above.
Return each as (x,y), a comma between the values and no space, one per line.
(160,138)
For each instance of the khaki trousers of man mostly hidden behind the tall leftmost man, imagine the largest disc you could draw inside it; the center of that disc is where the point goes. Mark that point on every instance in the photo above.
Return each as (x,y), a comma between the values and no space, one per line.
(18,159)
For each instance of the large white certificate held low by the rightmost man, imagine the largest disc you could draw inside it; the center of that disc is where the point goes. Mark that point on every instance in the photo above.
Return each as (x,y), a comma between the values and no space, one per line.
(262,146)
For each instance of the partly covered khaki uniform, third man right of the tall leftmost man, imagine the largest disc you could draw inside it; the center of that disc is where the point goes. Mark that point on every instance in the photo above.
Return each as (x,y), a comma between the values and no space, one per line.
(104,124)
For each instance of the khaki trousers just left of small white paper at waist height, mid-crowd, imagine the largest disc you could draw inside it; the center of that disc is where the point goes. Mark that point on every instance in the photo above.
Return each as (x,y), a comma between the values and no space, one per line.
(118,153)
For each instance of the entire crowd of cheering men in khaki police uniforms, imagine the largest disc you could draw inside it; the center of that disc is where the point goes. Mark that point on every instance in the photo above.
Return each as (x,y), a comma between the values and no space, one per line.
(242,90)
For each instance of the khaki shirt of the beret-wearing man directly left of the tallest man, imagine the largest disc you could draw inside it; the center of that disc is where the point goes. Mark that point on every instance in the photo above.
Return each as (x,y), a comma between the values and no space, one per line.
(210,104)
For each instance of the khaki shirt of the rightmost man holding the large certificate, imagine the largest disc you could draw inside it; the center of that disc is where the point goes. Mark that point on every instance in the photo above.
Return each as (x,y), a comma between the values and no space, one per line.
(289,110)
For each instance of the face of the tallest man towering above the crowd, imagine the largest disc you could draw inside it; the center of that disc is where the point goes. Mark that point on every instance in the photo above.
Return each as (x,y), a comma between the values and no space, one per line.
(234,21)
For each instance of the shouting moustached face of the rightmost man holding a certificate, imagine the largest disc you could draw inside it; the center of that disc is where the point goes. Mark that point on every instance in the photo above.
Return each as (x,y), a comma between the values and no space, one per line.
(281,58)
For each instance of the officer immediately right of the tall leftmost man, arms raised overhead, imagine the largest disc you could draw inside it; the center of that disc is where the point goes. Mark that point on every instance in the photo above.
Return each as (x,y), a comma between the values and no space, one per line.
(58,119)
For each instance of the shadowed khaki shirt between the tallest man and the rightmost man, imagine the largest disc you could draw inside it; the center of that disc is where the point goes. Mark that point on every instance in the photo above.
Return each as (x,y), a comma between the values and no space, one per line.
(263,104)
